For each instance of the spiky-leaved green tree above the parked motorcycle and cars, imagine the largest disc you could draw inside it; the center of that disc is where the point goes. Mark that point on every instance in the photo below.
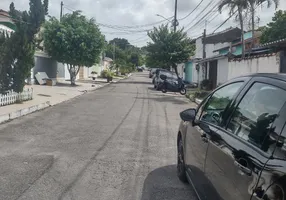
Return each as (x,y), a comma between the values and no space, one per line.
(168,48)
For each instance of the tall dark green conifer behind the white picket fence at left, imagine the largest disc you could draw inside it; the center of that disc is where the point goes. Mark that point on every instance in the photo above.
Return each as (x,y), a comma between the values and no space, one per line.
(17,51)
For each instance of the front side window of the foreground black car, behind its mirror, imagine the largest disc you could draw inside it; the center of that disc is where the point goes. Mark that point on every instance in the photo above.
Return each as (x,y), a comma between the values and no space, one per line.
(215,105)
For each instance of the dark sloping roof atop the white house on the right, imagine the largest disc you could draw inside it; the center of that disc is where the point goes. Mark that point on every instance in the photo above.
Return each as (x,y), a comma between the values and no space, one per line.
(227,35)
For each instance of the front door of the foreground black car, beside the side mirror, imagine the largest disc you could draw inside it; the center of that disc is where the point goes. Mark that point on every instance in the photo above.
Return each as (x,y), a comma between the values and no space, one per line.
(196,140)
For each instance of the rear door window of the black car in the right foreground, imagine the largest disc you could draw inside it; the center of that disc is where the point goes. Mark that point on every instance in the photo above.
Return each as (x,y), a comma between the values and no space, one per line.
(253,118)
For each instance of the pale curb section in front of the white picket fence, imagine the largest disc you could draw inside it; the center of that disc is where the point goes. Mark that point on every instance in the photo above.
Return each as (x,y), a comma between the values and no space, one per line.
(23,112)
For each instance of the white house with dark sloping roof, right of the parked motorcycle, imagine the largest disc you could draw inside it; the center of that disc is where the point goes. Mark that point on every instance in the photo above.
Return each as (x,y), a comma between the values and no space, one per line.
(215,64)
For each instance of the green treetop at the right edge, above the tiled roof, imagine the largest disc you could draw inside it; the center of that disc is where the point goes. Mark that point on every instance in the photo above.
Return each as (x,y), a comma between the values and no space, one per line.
(276,29)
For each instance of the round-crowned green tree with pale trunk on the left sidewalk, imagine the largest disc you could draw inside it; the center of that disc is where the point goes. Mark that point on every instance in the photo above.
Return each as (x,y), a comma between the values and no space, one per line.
(75,41)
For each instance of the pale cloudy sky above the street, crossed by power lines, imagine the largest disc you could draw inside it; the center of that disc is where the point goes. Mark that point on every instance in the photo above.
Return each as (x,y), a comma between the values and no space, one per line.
(131,19)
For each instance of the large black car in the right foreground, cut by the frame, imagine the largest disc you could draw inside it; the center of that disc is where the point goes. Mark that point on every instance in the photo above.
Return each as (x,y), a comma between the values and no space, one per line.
(233,146)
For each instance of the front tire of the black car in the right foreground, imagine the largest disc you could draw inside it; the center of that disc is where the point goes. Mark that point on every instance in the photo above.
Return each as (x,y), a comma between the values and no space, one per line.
(181,169)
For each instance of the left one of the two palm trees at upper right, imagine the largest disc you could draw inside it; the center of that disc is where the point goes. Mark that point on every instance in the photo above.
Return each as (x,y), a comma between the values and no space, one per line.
(236,6)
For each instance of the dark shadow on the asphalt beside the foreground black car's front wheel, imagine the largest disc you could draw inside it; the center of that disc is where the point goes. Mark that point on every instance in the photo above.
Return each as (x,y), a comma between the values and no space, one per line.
(163,183)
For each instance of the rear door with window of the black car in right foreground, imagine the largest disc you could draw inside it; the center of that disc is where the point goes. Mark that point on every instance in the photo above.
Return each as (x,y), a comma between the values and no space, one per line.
(238,151)
